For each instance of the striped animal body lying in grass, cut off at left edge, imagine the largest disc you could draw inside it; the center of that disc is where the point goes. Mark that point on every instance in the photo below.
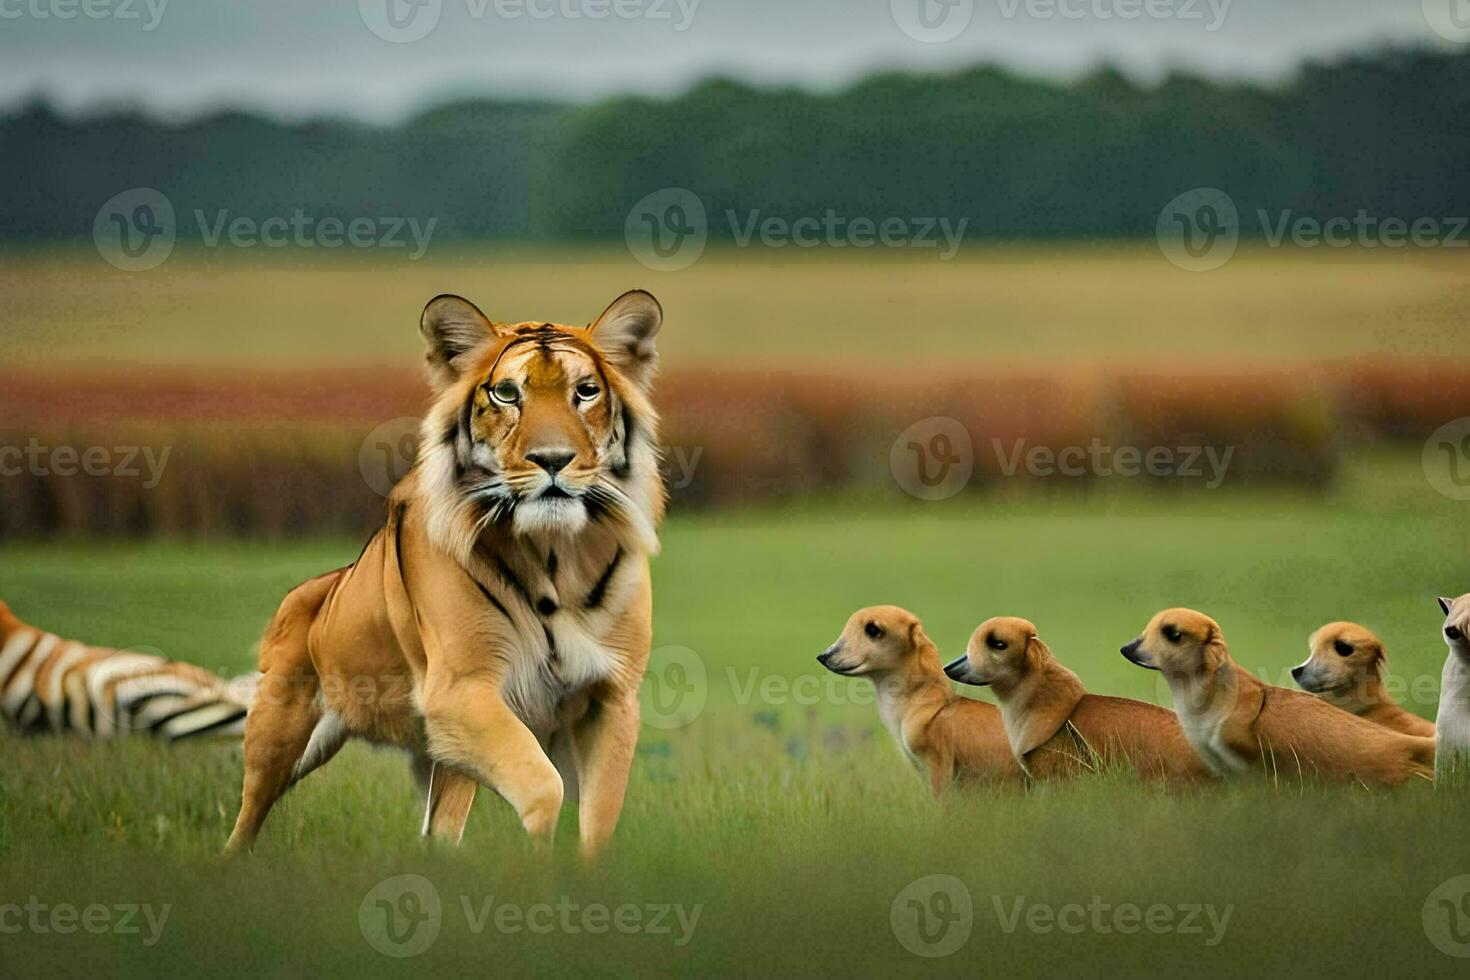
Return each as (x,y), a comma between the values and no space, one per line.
(54,685)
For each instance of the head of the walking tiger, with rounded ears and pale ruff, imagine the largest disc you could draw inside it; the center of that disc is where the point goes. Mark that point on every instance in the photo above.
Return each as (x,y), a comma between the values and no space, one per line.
(542,428)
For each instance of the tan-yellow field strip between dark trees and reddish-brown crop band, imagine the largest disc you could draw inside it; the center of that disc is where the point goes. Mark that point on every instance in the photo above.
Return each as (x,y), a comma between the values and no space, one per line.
(750,308)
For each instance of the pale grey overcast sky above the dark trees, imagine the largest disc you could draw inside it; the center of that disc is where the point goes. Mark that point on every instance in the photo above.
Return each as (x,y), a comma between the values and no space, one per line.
(301,58)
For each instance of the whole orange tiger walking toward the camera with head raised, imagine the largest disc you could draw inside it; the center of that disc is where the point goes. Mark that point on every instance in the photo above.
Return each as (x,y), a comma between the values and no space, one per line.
(499,624)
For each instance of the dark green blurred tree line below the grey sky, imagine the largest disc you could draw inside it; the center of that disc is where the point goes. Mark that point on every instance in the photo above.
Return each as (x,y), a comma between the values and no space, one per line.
(1017,158)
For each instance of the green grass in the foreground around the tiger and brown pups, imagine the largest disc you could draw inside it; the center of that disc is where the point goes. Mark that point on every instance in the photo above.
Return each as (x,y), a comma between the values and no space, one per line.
(781,815)
